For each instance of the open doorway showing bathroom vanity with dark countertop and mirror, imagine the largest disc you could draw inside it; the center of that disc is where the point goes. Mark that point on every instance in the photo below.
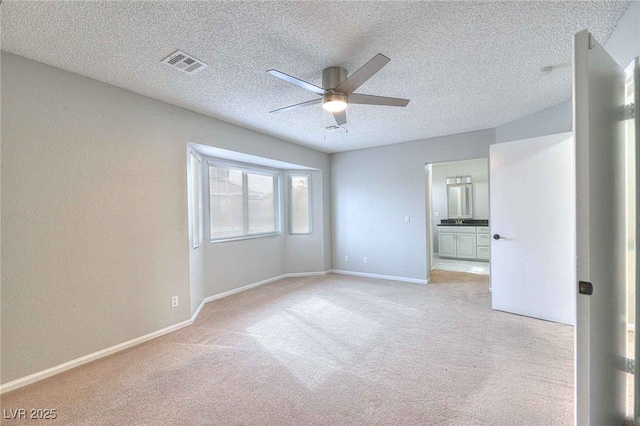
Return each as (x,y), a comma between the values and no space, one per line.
(458,216)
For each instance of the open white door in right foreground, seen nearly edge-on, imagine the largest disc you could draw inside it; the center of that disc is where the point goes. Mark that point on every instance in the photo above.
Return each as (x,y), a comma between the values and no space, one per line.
(598,105)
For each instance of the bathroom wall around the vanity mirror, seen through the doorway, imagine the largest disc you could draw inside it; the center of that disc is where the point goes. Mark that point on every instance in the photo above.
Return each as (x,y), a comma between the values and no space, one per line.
(478,169)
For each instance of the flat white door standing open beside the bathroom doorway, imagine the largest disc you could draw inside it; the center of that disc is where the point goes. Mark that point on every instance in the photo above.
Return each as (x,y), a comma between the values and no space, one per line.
(533,215)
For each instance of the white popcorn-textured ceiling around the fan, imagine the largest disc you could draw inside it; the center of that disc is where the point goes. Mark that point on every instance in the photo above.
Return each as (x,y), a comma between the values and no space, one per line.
(464,65)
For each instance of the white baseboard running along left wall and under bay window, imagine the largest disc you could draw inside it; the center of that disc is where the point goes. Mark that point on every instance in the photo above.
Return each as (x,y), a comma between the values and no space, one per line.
(41,375)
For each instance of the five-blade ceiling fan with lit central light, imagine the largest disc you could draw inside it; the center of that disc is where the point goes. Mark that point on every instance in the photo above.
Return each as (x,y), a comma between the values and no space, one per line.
(337,89)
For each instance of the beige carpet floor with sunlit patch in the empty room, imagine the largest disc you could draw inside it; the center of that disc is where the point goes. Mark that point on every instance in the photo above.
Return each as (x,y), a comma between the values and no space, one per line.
(332,350)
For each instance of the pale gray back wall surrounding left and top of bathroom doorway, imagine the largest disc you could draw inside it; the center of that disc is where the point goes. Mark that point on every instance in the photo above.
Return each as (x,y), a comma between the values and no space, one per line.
(373,189)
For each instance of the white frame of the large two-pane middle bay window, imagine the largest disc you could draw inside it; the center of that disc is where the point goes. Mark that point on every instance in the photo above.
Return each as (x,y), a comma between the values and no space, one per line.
(252,170)
